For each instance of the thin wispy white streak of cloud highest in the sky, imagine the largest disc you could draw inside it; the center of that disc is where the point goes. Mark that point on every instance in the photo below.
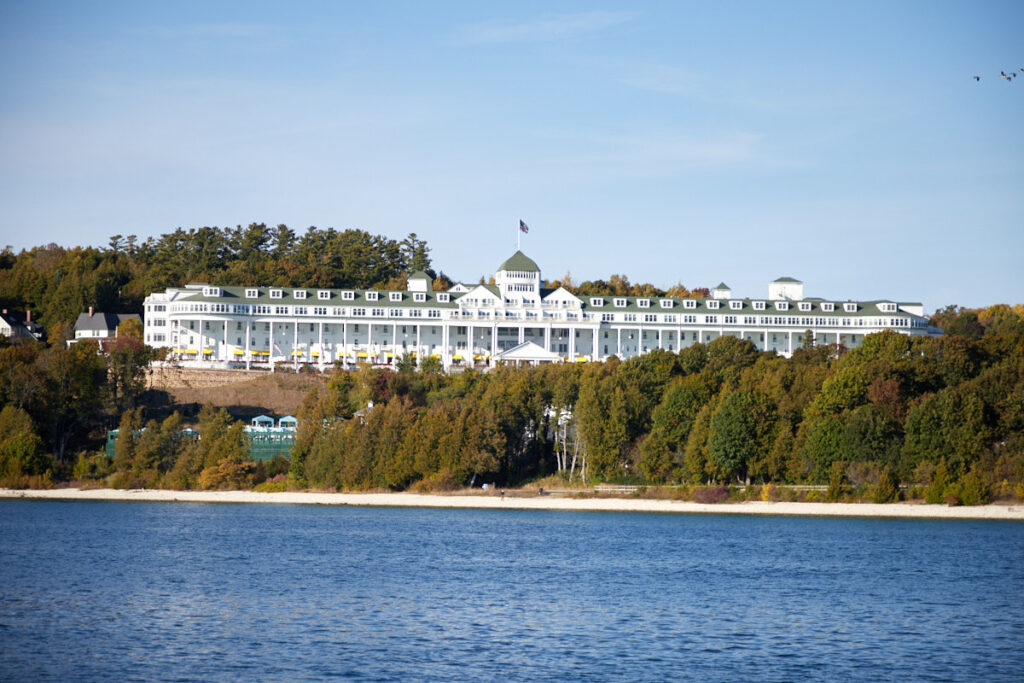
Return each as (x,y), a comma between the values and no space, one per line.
(545,29)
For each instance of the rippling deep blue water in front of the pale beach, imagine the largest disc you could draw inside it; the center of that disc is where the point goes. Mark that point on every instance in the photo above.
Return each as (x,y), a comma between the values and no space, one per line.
(144,591)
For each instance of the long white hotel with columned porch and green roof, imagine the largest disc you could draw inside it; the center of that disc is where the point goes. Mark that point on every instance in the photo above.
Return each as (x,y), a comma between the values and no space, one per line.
(516,321)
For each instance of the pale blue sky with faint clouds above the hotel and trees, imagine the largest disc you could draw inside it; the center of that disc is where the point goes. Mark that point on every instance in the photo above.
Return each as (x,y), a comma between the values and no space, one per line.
(846,145)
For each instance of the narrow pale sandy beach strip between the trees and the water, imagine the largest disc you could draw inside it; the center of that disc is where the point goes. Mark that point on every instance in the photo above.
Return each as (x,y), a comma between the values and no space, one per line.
(491,502)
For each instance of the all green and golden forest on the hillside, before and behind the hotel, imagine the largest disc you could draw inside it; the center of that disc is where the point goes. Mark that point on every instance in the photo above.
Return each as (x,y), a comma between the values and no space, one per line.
(944,417)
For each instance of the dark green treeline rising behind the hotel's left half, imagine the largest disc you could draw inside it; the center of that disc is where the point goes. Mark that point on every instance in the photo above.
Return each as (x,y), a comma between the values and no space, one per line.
(59,283)
